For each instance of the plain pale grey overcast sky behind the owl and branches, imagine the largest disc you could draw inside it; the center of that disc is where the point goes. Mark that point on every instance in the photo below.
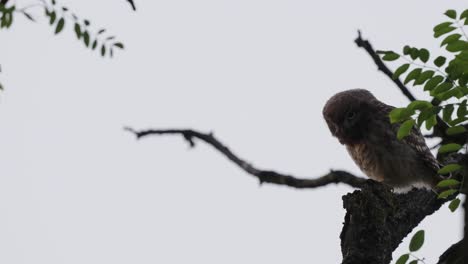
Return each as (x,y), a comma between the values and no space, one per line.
(76,188)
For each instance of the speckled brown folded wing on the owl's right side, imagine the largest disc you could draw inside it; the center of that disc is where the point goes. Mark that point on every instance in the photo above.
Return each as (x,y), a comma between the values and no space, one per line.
(416,141)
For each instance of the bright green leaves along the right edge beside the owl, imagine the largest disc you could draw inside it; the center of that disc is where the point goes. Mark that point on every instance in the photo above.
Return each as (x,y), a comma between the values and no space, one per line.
(447,83)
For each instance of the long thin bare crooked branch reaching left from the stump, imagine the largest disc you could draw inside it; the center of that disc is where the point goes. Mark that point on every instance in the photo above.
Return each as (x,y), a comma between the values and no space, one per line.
(263,176)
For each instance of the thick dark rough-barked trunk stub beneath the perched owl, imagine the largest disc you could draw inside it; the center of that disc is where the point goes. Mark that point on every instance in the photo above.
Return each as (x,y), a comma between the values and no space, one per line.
(377,220)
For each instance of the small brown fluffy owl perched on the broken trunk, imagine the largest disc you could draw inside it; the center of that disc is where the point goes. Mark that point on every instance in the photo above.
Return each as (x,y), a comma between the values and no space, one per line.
(361,123)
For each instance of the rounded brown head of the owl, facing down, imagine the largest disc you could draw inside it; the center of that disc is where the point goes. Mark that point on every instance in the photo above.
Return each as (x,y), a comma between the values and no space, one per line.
(348,115)
